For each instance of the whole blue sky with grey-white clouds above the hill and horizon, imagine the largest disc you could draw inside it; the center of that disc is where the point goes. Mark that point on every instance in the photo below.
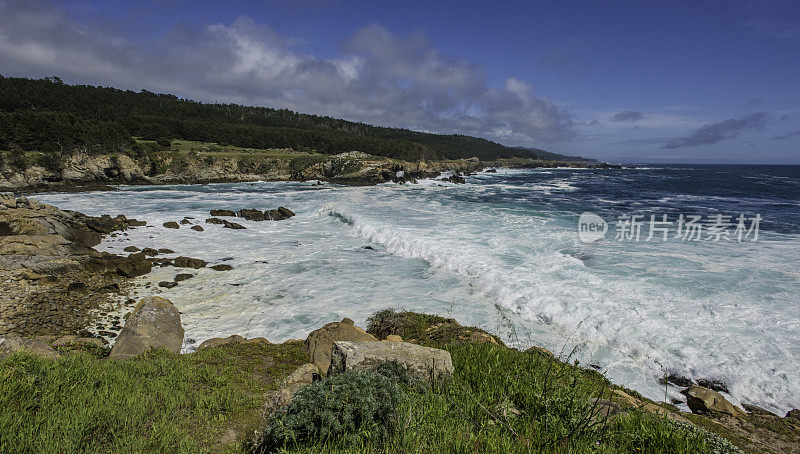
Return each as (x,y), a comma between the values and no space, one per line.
(639,81)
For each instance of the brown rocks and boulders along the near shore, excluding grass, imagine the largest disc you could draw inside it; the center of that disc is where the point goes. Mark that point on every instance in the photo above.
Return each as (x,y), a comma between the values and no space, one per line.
(57,291)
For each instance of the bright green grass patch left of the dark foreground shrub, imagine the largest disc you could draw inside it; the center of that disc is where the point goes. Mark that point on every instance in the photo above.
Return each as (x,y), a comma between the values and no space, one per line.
(158,402)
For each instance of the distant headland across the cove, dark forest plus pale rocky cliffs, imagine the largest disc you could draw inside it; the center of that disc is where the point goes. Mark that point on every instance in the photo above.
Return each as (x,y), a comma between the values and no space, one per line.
(59,137)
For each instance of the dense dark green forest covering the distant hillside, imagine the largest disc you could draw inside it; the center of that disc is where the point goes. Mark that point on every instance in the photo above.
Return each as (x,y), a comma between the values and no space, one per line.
(50,116)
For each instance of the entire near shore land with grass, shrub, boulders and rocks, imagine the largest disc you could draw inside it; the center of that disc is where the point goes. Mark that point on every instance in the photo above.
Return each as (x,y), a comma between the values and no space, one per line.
(409,382)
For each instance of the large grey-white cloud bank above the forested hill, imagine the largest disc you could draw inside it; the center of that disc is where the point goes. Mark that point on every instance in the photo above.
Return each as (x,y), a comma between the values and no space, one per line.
(379,78)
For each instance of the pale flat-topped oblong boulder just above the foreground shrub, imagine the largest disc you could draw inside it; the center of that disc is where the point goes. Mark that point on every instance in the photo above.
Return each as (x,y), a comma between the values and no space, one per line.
(424,363)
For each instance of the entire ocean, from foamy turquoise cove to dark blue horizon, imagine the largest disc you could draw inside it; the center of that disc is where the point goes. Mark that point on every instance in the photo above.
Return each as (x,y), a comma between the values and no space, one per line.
(717,299)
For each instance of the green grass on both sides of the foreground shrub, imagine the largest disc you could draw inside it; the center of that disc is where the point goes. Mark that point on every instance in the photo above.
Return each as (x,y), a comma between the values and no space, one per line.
(193,403)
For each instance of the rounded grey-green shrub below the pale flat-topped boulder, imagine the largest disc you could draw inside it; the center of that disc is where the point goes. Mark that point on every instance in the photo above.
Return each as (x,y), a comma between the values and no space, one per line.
(352,407)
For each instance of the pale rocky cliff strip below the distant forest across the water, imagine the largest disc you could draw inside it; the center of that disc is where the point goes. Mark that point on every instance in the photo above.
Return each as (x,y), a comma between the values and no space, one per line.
(84,172)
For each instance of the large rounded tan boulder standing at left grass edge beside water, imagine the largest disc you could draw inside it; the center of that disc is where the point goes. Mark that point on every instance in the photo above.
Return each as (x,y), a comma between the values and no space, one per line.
(154,323)
